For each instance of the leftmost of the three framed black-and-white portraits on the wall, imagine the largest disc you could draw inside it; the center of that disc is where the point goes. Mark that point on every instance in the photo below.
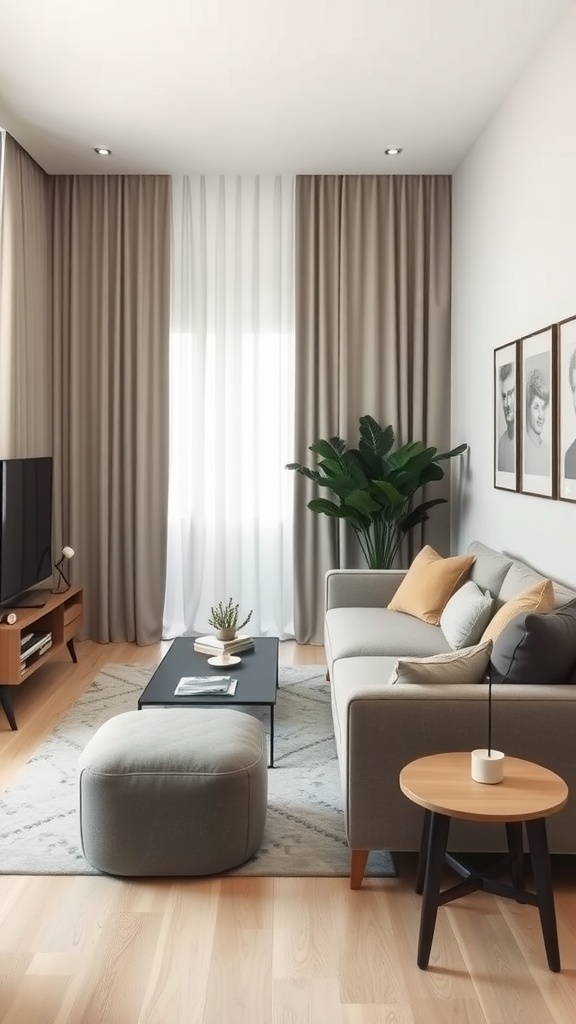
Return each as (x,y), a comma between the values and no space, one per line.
(506,428)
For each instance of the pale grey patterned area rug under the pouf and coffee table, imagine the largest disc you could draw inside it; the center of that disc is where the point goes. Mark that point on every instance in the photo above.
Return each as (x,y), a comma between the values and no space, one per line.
(305,834)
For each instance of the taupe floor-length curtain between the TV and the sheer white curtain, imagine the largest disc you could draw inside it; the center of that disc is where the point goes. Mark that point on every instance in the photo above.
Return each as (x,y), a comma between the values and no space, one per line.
(111,332)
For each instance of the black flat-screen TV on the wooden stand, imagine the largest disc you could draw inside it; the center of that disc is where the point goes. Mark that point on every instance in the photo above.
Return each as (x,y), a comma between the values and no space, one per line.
(26,530)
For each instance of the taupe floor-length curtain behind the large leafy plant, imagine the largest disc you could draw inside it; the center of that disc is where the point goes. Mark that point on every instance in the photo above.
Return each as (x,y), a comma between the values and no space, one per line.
(373,337)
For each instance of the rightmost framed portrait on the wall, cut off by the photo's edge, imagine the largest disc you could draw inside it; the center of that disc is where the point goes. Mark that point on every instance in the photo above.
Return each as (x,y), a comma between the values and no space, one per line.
(567,409)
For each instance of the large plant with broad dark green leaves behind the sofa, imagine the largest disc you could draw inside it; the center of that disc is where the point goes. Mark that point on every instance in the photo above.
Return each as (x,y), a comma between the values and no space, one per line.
(376,487)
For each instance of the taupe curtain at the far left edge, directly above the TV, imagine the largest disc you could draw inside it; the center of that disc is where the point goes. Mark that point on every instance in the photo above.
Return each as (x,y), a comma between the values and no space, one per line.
(25,306)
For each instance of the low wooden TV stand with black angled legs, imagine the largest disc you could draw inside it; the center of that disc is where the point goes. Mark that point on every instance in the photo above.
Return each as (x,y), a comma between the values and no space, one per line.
(60,616)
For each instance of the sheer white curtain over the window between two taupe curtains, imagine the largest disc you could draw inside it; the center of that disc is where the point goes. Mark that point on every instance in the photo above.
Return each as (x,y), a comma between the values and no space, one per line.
(232,403)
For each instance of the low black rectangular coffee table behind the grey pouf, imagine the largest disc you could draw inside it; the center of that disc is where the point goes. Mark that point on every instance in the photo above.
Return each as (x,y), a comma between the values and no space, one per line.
(257,674)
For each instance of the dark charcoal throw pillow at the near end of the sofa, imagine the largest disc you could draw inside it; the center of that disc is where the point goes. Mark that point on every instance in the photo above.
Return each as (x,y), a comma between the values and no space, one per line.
(537,648)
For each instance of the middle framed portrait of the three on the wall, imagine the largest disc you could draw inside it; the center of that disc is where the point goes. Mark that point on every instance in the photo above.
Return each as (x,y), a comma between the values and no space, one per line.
(538,414)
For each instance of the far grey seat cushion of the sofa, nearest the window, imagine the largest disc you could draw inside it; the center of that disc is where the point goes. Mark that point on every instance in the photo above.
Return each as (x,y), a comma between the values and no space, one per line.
(379,632)
